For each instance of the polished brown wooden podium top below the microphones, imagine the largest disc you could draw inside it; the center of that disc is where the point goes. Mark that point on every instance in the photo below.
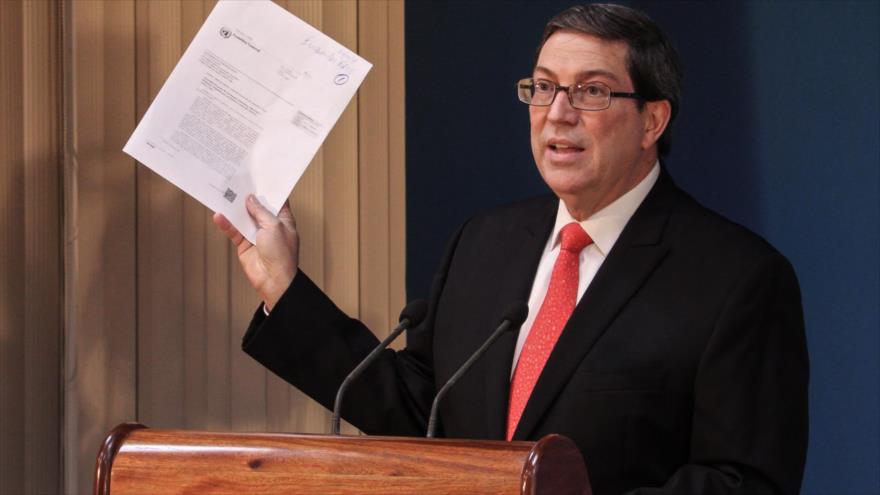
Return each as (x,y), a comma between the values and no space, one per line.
(137,460)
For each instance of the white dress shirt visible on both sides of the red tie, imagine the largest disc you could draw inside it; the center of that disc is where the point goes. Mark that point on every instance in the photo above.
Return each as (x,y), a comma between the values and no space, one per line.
(604,227)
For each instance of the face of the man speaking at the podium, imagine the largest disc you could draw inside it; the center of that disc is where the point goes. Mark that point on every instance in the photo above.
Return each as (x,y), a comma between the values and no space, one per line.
(588,158)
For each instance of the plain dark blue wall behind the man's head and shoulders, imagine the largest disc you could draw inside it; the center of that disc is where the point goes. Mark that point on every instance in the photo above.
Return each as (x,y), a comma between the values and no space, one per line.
(780,131)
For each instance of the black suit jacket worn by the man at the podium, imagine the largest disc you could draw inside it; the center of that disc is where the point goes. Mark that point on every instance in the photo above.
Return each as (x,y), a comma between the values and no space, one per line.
(683,368)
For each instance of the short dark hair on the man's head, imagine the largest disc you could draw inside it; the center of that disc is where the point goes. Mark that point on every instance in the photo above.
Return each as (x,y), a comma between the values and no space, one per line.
(652,61)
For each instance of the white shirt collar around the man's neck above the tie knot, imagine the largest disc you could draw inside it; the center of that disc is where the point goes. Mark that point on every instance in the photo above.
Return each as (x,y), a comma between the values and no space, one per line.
(605,226)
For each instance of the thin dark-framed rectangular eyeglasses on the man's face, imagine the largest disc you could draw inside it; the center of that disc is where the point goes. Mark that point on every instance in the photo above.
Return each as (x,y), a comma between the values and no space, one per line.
(583,96)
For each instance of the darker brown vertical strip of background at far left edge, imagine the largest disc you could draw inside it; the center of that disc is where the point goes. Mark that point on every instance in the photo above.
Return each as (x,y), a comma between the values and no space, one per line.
(30,248)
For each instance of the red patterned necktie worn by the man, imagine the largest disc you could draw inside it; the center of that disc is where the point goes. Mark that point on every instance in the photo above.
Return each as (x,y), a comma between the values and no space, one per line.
(555,310)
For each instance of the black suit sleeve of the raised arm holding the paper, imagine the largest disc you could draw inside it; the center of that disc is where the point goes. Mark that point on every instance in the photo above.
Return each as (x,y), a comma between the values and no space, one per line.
(313,345)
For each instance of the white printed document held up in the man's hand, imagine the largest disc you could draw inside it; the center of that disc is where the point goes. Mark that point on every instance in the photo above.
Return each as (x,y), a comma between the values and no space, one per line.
(246,108)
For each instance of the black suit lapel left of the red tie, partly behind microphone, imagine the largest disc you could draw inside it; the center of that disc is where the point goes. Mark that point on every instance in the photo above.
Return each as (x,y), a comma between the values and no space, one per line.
(525,244)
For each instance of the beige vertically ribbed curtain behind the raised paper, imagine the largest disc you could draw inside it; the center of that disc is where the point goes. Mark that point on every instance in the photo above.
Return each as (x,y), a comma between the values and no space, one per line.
(120,301)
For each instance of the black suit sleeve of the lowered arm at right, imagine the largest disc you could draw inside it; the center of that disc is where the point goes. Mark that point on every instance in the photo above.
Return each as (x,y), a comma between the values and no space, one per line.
(749,429)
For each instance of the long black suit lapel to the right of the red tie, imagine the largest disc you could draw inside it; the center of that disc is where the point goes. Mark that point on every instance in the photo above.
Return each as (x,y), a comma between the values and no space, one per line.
(635,255)
